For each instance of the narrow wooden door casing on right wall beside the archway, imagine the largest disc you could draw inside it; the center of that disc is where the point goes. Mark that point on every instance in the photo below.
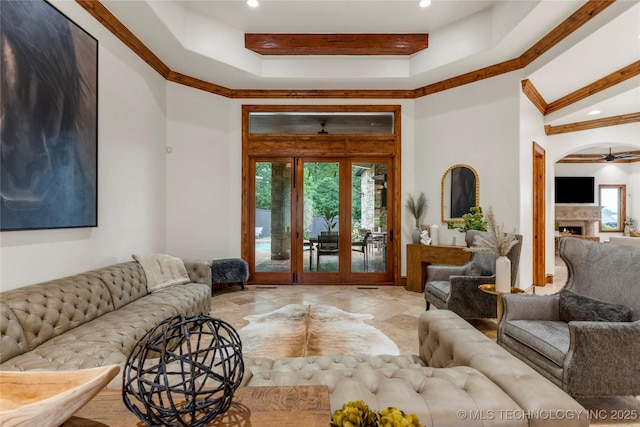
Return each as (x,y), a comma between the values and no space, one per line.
(539,215)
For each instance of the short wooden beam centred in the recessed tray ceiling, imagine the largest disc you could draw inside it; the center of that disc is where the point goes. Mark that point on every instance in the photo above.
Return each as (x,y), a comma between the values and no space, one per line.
(336,44)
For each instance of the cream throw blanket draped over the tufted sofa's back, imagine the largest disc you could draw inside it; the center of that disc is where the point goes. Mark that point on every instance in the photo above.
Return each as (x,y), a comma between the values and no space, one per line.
(162,270)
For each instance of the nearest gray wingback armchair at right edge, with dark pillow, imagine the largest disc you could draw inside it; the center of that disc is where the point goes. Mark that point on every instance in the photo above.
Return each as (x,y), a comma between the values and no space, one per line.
(585,338)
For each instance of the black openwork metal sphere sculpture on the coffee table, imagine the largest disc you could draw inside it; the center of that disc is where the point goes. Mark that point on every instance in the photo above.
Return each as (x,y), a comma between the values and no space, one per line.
(183,372)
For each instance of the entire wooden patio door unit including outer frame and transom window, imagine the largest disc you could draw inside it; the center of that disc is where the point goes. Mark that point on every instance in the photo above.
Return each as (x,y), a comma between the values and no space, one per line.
(320,205)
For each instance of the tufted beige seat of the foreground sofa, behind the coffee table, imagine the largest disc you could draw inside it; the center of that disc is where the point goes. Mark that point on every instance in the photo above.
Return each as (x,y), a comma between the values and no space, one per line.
(381,381)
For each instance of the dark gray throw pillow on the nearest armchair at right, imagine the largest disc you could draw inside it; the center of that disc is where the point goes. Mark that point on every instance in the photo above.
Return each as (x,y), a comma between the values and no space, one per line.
(582,308)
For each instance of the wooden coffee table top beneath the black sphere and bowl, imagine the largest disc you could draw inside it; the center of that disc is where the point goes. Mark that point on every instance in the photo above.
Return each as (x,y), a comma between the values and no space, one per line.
(251,406)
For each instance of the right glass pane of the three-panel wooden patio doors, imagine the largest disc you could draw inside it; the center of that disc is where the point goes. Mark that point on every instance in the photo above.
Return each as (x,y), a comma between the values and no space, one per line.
(369,217)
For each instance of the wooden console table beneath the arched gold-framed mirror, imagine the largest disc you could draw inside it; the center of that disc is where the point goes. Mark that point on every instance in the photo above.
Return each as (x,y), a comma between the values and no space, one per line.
(420,256)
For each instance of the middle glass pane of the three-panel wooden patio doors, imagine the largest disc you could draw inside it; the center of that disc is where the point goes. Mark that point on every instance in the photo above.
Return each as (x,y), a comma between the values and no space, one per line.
(321,208)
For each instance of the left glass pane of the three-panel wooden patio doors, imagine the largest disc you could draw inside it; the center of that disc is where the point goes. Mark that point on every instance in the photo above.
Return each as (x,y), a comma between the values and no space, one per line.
(272,249)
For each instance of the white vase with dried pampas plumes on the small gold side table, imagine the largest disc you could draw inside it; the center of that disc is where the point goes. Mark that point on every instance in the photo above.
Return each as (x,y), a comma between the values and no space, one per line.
(500,243)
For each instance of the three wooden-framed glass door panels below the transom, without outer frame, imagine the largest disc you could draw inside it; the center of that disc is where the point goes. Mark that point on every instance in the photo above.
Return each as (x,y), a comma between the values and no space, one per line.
(321,220)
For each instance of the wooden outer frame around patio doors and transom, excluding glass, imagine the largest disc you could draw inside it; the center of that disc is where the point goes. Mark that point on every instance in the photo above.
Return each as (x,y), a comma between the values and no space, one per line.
(330,145)
